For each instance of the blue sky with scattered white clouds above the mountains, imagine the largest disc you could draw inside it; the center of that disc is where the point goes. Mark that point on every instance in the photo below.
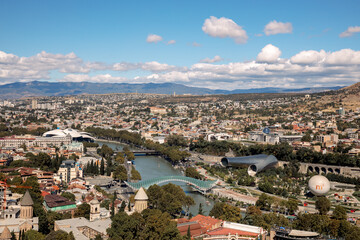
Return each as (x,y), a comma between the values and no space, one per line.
(214,44)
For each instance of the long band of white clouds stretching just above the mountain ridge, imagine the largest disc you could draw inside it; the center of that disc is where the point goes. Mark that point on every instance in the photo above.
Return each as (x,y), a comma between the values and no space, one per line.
(268,70)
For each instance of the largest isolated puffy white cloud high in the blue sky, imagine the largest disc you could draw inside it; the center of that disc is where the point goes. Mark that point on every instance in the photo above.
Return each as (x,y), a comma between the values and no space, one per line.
(223,28)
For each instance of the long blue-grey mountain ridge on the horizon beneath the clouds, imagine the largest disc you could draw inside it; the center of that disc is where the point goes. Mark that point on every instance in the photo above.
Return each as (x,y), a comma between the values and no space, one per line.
(36,88)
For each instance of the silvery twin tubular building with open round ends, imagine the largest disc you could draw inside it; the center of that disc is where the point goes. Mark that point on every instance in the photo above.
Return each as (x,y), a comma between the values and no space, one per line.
(255,163)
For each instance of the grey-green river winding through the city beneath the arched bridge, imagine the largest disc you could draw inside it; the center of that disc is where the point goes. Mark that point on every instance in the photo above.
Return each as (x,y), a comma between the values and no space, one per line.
(155,166)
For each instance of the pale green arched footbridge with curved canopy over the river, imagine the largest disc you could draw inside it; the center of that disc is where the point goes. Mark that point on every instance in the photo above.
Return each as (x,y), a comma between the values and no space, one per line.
(199,185)
